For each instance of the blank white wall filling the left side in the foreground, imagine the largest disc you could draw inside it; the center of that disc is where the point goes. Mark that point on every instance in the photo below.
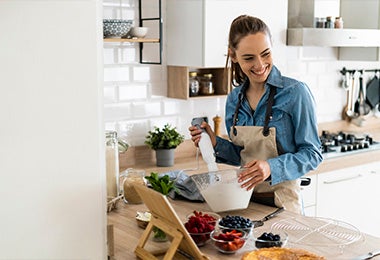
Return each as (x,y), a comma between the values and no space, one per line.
(52,176)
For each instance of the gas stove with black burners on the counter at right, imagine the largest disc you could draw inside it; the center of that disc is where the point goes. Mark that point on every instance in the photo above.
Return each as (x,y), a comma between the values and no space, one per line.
(343,143)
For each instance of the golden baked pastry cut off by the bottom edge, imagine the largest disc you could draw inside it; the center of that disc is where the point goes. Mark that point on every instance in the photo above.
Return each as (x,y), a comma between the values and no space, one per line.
(280,253)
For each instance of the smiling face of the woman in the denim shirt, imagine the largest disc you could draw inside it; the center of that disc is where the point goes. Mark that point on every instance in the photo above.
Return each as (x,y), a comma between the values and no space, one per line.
(254,56)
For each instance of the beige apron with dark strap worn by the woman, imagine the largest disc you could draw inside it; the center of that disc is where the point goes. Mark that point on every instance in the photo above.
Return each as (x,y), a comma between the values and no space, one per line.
(257,146)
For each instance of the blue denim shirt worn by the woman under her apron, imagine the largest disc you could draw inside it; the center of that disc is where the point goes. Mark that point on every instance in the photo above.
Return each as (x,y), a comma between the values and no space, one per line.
(293,116)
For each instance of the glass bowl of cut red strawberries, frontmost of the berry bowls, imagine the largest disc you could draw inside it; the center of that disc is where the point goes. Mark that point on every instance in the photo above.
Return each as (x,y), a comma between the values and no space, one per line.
(228,241)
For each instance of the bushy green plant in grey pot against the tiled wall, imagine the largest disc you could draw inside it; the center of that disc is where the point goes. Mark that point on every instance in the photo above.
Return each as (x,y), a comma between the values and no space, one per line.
(164,141)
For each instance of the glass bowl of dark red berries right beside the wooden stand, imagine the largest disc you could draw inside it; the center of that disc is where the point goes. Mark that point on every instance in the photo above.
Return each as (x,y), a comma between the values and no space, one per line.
(200,225)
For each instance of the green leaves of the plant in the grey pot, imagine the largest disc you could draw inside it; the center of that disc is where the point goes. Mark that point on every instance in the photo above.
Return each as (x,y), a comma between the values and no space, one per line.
(165,138)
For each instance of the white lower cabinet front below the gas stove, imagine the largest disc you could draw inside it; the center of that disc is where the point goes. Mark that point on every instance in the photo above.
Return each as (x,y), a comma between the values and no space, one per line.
(351,195)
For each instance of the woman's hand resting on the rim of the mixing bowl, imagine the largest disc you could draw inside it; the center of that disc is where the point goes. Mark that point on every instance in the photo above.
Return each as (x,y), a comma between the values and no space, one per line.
(256,171)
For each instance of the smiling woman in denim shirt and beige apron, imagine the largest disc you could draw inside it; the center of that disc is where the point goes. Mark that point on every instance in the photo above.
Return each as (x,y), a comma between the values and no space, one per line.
(270,120)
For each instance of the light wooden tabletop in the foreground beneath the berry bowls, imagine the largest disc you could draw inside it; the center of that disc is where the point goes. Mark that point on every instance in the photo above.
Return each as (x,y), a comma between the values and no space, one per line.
(127,233)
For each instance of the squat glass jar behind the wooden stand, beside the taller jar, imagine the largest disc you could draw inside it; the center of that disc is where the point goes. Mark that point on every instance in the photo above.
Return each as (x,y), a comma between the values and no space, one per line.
(130,178)
